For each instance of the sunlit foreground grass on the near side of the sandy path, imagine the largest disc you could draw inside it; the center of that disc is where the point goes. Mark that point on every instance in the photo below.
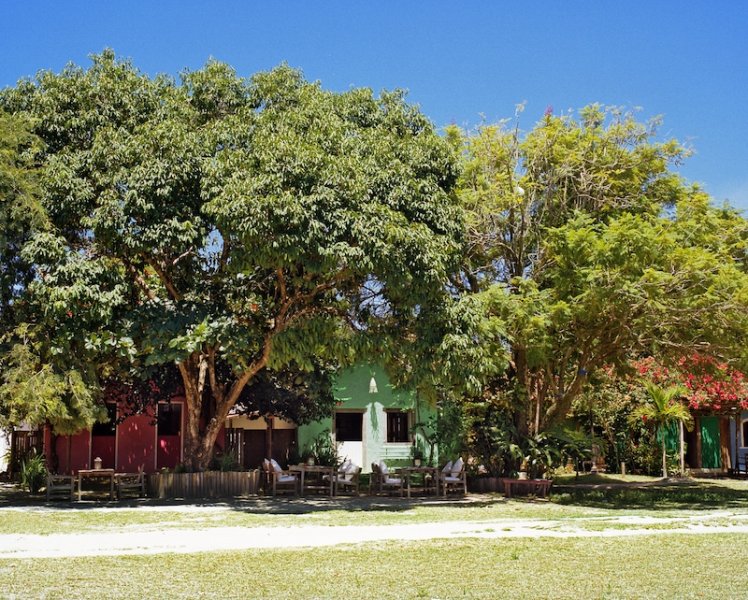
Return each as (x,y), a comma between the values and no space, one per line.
(661,566)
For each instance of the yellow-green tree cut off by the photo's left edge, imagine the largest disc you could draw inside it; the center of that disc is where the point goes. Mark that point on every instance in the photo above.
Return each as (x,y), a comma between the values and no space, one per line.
(32,387)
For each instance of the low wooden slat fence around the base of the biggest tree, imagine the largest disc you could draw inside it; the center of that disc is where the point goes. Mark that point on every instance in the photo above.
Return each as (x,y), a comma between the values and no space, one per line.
(208,484)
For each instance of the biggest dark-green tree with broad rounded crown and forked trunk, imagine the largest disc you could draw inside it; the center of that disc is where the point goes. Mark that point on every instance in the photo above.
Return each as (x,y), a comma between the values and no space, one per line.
(230,226)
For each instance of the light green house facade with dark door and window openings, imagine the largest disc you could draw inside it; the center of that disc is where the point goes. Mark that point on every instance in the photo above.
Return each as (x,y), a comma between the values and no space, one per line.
(372,421)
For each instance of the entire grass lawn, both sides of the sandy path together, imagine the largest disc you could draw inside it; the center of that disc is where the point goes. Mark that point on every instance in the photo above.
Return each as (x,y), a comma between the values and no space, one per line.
(660,565)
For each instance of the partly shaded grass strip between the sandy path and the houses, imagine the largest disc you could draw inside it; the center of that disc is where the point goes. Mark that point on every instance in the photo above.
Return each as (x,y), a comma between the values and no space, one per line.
(595,496)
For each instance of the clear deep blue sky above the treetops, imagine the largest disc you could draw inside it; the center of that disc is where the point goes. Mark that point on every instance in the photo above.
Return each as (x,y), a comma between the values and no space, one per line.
(687,60)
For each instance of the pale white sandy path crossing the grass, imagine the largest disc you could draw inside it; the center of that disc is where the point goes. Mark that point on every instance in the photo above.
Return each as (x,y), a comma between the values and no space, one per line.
(155,541)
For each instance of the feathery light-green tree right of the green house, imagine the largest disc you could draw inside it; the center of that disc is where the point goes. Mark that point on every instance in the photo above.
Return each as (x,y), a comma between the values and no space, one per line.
(590,249)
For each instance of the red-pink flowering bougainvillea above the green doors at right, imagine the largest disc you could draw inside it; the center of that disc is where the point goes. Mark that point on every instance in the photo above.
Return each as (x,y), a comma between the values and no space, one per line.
(711,384)
